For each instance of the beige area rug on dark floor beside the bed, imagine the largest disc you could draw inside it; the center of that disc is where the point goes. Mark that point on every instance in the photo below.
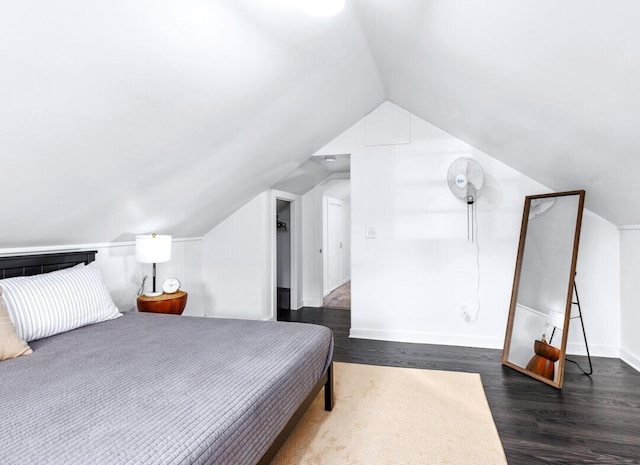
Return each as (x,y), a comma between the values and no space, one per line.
(404,416)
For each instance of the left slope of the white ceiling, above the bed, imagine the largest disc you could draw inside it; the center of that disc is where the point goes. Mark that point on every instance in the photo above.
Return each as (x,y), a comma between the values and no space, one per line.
(124,117)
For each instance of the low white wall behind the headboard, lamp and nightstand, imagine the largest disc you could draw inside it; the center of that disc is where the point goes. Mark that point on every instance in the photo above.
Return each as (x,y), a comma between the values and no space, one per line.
(123,275)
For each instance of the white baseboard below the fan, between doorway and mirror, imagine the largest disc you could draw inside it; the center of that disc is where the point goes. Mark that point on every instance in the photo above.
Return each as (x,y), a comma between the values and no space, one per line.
(426,338)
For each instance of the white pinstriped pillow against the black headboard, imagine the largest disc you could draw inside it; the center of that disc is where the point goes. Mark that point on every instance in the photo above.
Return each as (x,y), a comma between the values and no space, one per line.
(52,303)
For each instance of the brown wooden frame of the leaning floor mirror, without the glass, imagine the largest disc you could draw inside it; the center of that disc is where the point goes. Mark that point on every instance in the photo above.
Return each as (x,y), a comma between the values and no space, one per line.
(559,376)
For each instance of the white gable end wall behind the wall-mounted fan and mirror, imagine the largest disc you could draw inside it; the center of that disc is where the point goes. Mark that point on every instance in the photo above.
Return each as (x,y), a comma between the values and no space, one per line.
(413,282)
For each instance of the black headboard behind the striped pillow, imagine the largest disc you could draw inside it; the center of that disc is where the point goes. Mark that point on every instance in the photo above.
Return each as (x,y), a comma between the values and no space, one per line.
(28,265)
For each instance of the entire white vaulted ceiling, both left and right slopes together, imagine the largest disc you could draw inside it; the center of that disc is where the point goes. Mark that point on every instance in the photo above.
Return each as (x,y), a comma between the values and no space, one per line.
(126,117)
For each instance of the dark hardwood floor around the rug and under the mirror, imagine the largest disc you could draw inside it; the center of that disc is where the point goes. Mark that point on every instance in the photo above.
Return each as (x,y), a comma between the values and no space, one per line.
(592,420)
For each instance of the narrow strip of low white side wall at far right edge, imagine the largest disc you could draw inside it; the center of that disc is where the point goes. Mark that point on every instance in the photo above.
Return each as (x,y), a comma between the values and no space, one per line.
(630,298)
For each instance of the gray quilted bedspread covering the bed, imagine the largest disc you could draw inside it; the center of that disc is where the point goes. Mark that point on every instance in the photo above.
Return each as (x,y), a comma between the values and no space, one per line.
(158,389)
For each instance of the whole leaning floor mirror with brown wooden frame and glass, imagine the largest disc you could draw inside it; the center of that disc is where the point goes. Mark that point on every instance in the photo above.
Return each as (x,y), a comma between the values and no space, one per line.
(543,286)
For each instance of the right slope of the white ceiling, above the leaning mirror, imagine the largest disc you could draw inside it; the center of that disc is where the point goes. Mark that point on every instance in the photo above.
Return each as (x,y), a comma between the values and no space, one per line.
(551,88)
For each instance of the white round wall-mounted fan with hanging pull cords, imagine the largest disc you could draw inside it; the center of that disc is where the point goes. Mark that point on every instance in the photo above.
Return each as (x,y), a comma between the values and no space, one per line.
(466,178)
